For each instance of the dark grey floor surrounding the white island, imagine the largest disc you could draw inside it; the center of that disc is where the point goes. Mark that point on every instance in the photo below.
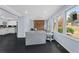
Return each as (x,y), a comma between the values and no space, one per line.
(11,44)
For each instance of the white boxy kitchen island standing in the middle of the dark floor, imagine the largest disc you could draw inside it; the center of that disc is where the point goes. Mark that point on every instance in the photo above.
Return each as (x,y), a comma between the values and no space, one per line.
(35,37)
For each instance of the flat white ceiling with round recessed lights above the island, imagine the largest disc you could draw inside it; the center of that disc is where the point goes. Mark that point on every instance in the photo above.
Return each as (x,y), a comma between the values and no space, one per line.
(36,11)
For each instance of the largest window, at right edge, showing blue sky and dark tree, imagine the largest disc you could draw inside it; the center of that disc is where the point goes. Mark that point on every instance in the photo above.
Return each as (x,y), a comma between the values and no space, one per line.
(72,17)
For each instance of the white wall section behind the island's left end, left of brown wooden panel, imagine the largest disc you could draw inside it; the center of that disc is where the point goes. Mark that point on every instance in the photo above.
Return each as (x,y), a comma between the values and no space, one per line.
(24,25)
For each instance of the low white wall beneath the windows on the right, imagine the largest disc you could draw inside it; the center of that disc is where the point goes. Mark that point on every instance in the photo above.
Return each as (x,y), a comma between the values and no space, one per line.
(69,43)
